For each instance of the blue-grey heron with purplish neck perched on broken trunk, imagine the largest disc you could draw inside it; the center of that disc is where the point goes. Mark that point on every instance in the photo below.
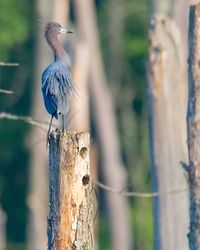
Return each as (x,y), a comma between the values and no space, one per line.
(57,84)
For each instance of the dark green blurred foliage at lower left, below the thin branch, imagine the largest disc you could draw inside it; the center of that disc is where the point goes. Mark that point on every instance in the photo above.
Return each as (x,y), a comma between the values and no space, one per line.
(13,157)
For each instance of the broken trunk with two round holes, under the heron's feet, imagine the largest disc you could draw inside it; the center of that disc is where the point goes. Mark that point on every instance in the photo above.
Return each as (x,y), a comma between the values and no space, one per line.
(70,222)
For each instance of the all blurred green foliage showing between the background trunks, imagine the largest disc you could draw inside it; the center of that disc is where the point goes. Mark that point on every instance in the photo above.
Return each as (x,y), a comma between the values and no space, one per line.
(17,38)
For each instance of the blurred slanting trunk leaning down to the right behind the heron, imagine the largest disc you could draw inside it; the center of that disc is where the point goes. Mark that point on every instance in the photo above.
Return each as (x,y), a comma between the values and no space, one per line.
(113,170)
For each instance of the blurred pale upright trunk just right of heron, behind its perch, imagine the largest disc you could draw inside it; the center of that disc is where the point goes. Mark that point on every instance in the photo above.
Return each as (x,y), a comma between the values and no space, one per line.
(80,107)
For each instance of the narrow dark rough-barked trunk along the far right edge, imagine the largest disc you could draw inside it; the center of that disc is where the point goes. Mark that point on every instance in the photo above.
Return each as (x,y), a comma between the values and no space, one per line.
(193,123)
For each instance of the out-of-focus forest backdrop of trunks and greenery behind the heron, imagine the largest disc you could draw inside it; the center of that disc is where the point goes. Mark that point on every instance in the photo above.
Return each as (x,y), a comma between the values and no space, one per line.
(109,53)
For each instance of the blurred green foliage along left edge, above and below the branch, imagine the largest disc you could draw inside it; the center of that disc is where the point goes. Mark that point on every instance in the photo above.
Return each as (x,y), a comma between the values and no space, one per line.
(16,45)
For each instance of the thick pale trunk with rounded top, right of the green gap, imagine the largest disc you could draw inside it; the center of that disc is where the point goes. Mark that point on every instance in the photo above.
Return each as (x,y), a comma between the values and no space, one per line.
(167,129)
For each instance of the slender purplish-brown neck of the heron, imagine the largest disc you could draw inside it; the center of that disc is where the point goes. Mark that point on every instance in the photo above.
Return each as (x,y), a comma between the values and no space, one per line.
(59,51)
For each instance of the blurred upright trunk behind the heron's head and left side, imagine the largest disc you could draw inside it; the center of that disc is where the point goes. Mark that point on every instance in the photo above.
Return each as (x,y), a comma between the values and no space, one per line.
(38,194)
